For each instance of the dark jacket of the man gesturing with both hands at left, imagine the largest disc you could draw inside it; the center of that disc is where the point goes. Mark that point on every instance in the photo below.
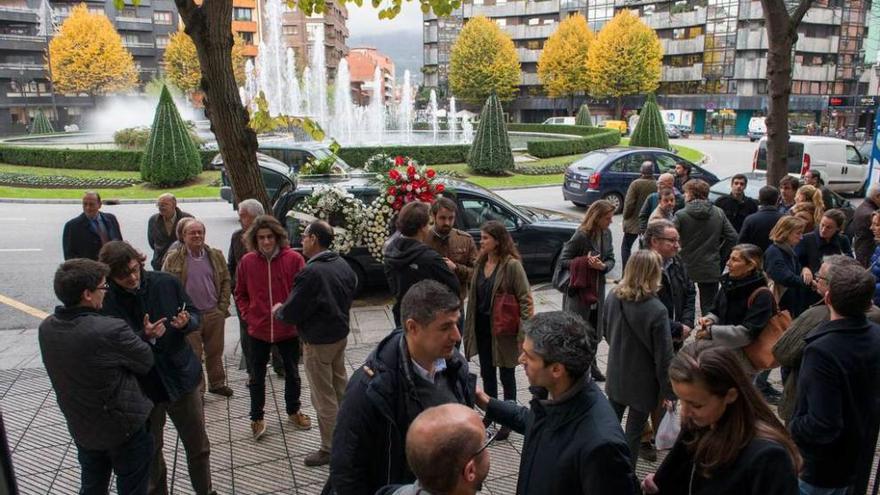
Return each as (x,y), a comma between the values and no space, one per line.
(176,371)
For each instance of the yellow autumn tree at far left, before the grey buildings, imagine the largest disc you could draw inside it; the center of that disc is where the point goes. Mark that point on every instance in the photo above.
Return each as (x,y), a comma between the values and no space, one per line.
(87,56)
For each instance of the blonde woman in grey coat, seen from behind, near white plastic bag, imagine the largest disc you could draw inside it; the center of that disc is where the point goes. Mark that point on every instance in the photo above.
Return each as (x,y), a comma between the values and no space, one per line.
(639,345)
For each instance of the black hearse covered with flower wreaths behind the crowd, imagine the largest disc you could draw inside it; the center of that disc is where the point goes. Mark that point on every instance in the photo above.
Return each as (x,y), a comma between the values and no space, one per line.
(539,234)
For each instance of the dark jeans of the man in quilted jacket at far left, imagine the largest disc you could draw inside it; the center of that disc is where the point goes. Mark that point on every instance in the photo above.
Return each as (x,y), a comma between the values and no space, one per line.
(130,461)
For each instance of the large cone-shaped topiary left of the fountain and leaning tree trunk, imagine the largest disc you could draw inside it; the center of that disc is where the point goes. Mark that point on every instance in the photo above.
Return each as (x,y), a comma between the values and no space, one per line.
(170,157)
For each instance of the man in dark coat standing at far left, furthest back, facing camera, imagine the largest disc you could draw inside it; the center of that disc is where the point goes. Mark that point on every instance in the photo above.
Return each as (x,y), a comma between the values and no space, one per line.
(84,235)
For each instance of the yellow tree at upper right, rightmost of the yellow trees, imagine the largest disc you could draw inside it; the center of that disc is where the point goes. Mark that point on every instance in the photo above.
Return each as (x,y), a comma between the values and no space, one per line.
(625,59)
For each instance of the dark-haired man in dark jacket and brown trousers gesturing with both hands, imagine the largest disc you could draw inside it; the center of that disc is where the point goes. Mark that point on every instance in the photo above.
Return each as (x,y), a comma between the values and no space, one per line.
(142,299)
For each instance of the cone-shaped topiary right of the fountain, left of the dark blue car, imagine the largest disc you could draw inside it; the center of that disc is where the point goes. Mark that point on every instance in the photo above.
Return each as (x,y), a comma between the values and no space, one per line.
(490,152)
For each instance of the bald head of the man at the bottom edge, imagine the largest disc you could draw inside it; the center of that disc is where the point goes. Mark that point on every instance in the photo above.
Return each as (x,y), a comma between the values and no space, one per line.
(446,448)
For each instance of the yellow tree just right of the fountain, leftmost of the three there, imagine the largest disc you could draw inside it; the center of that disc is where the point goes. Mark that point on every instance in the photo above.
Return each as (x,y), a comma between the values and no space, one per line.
(483,61)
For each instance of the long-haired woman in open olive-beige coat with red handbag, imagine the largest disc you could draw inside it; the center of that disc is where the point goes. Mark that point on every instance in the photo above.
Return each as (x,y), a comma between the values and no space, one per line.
(499,299)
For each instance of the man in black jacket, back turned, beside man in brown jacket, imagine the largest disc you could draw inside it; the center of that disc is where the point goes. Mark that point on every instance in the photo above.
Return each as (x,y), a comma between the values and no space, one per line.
(409,260)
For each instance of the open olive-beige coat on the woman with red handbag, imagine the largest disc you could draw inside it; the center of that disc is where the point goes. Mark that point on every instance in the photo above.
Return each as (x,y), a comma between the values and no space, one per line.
(505,350)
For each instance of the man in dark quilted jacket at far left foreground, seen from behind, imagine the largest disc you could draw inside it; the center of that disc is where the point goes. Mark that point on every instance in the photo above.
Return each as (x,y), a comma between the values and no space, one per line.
(86,355)
